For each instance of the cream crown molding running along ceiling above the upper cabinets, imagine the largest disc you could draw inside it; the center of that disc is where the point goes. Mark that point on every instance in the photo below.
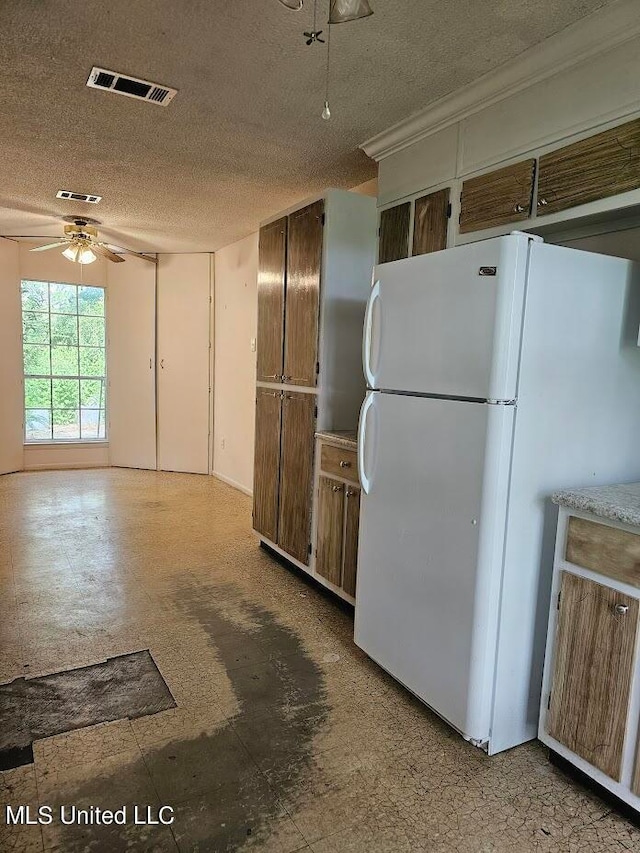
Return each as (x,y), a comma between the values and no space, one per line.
(604,29)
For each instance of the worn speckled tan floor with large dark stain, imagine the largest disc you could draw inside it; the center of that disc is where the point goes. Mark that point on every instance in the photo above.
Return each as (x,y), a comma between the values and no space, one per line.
(285,737)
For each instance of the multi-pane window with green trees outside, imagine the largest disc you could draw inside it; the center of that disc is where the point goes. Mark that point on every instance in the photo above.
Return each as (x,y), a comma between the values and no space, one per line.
(64,361)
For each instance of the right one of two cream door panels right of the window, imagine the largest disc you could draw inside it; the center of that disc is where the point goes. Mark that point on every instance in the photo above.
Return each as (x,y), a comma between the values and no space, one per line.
(183,362)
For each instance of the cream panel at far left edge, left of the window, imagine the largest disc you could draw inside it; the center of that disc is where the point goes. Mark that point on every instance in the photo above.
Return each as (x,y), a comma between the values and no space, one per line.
(11,369)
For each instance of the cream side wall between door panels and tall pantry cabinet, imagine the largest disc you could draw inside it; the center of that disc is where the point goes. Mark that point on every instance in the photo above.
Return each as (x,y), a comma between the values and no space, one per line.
(236,310)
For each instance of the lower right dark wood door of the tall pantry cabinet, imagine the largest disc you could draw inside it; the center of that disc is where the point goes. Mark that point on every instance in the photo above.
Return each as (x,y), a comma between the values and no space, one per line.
(296,469)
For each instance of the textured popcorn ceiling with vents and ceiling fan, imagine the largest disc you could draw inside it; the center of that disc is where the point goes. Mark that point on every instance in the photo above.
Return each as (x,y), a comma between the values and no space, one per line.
(243,138)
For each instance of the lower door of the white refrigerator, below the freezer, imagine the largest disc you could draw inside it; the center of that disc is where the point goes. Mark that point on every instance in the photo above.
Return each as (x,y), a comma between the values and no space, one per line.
(435,479)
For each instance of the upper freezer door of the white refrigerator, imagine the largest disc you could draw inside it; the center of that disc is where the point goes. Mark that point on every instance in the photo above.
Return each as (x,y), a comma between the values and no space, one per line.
(449,323)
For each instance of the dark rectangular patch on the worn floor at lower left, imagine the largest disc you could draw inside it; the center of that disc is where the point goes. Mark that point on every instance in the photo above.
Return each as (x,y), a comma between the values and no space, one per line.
(127,686)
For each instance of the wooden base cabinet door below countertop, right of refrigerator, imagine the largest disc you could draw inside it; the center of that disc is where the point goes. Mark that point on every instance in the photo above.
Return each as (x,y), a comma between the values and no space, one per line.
(594,650)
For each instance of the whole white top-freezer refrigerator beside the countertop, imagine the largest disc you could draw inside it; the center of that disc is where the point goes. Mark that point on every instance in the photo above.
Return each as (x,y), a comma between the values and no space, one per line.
(497,372)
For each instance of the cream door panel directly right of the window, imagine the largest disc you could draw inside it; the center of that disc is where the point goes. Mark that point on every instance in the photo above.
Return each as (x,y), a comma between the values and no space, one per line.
(131,343)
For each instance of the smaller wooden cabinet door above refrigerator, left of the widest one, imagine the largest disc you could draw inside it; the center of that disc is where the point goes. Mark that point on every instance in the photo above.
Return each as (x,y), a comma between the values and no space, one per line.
(497,198)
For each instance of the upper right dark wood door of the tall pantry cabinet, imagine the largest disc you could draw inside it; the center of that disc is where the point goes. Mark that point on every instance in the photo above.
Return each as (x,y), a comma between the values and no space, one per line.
(304,262)
